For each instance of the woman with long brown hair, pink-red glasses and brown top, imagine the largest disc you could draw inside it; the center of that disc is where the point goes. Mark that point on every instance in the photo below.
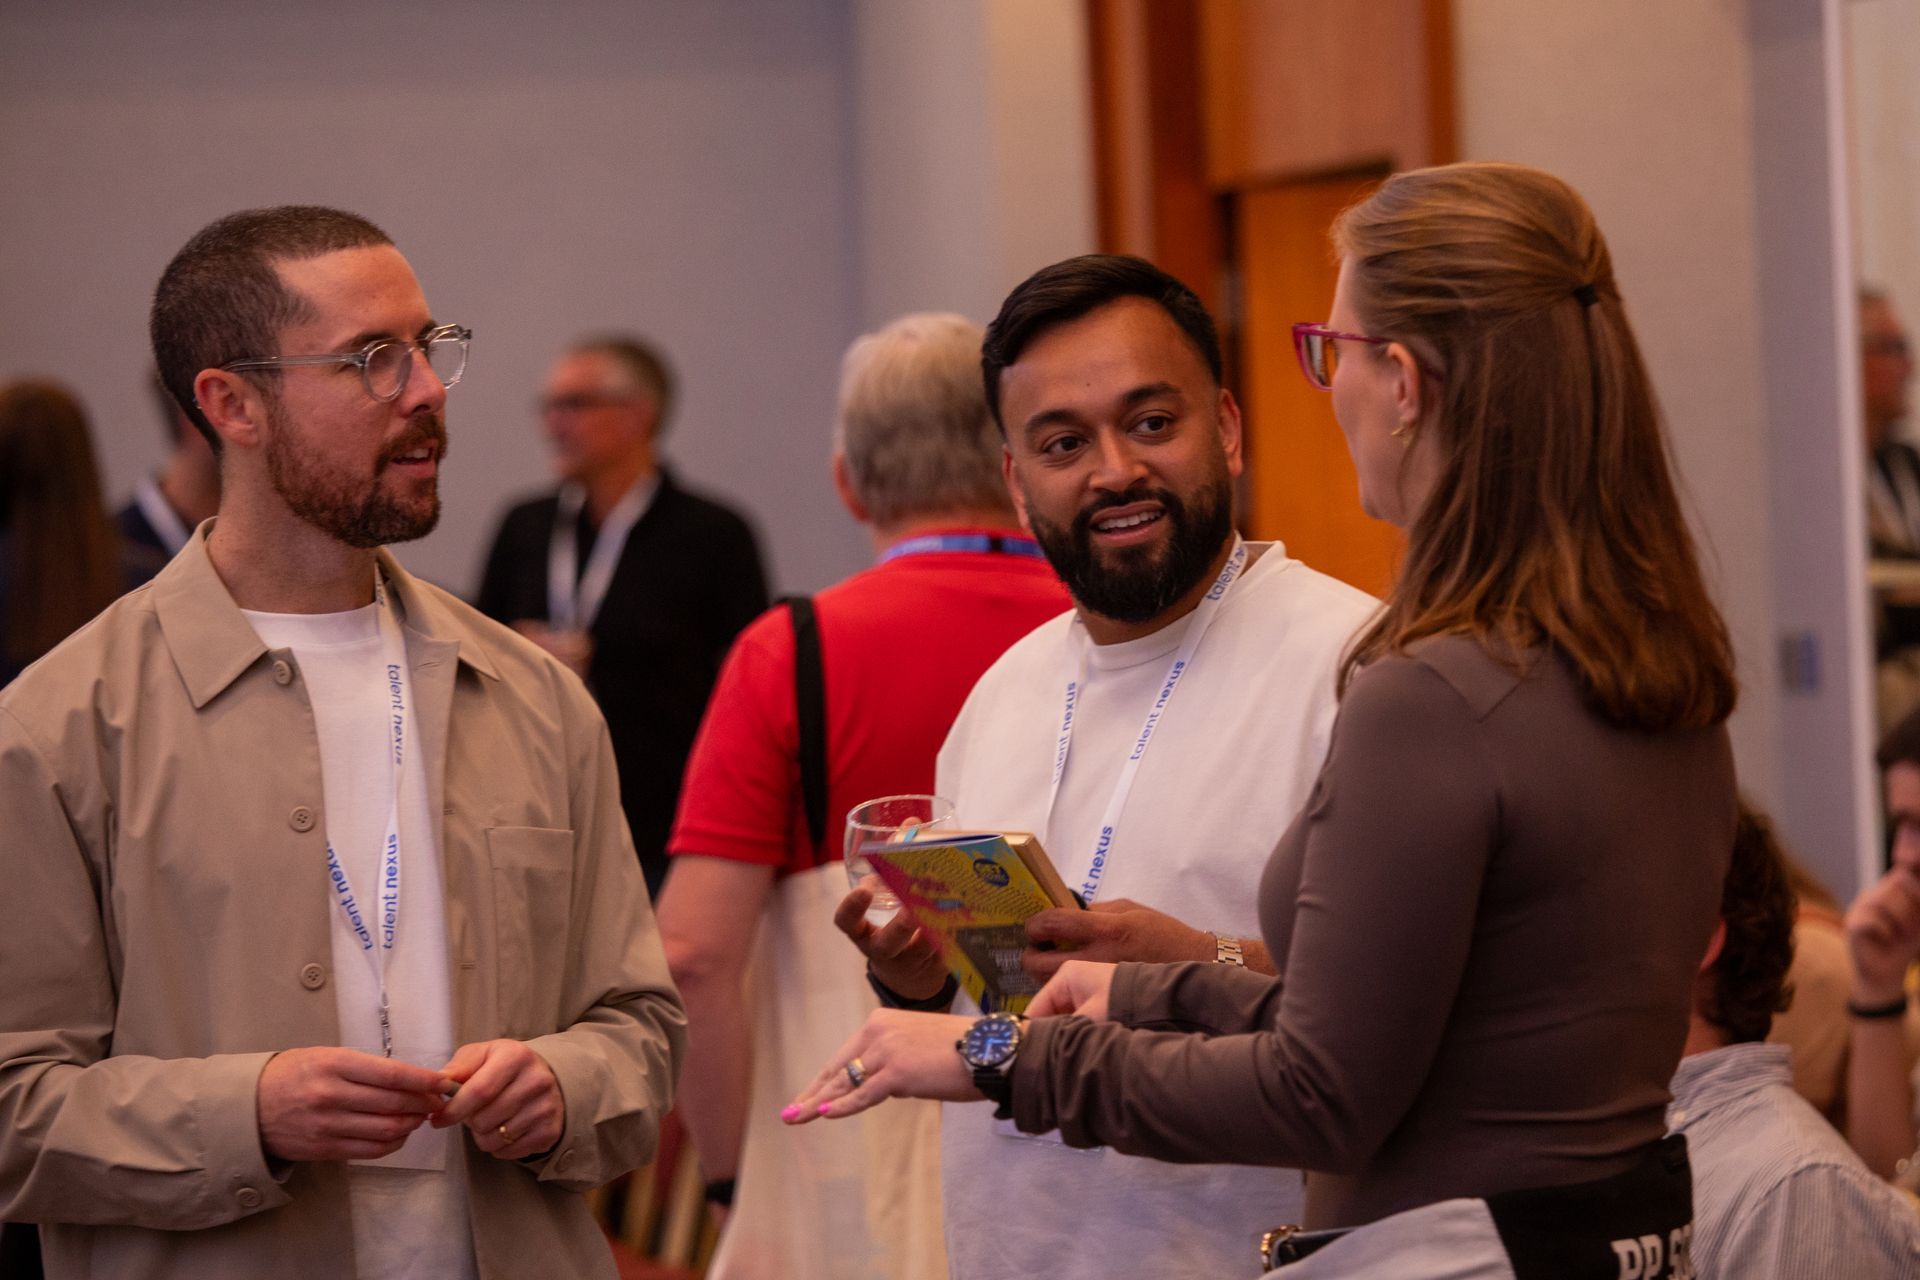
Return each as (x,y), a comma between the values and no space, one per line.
(1499,895)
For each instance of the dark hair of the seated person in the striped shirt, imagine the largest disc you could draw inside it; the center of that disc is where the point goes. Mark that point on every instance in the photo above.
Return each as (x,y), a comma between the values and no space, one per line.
(1750,980)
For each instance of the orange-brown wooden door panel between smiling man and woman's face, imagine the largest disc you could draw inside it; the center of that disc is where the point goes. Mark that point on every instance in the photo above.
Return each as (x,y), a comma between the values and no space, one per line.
(1301,483)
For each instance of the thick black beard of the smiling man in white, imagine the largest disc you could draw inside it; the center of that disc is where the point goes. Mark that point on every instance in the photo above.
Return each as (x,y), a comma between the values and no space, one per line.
(1141,582)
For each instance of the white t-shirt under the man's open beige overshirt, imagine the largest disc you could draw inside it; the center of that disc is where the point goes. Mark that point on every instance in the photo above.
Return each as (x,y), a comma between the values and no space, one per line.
(410,1210)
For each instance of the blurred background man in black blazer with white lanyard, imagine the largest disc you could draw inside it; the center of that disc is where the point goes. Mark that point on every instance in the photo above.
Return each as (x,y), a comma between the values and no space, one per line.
(635,582)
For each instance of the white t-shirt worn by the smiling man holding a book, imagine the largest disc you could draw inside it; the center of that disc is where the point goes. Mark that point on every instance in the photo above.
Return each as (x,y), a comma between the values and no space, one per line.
(1230,765)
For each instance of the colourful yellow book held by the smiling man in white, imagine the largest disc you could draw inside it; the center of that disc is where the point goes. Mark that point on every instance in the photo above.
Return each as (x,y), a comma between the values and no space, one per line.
(972,893)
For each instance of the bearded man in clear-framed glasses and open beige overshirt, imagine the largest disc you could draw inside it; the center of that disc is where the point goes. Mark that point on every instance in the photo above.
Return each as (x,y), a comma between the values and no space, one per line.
(329,955)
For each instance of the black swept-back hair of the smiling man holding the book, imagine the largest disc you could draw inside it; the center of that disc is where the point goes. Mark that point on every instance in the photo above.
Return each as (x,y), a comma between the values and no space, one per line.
(1068,291)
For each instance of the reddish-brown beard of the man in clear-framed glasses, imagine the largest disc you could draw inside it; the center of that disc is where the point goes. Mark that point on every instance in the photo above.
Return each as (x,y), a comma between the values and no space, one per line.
(356,513)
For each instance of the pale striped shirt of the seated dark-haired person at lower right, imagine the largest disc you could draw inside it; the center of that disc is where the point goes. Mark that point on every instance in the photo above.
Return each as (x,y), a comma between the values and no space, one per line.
(1777,1193)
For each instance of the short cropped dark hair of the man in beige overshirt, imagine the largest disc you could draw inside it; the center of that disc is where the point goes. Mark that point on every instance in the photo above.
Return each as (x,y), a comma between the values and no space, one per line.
(222,296)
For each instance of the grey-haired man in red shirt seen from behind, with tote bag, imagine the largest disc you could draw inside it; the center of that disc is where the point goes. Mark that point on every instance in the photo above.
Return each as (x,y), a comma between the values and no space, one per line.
(748,913)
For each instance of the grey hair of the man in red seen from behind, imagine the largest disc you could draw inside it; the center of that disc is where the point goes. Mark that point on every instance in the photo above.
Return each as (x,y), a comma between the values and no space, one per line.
(913,423)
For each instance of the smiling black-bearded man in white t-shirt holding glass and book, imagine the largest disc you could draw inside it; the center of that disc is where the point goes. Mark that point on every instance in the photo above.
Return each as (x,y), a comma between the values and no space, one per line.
(1193,663)
